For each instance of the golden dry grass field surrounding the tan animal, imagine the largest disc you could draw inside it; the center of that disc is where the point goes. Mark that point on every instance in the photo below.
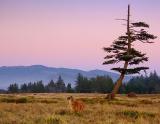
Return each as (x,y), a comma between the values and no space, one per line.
(54,109)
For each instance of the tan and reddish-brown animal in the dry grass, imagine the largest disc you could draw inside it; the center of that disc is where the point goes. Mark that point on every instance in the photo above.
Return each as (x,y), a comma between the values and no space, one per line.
(75,105)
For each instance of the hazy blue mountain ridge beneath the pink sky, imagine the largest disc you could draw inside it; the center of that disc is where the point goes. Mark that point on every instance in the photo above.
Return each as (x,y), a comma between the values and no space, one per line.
(26,74)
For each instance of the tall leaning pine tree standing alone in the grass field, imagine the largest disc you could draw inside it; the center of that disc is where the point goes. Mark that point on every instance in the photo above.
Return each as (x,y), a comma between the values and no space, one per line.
(122,50)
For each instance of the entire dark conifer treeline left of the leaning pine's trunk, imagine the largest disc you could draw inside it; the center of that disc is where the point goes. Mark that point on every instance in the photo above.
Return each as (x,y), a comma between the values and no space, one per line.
(101,84)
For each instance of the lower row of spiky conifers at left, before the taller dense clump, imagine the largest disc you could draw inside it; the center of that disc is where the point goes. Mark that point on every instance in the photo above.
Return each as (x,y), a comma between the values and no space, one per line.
(39,87)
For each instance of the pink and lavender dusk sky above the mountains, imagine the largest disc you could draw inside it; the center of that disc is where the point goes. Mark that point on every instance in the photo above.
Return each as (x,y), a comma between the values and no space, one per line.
(71,33)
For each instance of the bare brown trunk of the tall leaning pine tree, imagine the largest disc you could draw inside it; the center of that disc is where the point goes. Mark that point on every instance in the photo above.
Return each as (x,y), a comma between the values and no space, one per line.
(119,81)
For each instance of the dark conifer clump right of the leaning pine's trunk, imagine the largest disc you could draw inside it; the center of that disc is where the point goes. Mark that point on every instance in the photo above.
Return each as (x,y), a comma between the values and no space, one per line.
(142,84)
